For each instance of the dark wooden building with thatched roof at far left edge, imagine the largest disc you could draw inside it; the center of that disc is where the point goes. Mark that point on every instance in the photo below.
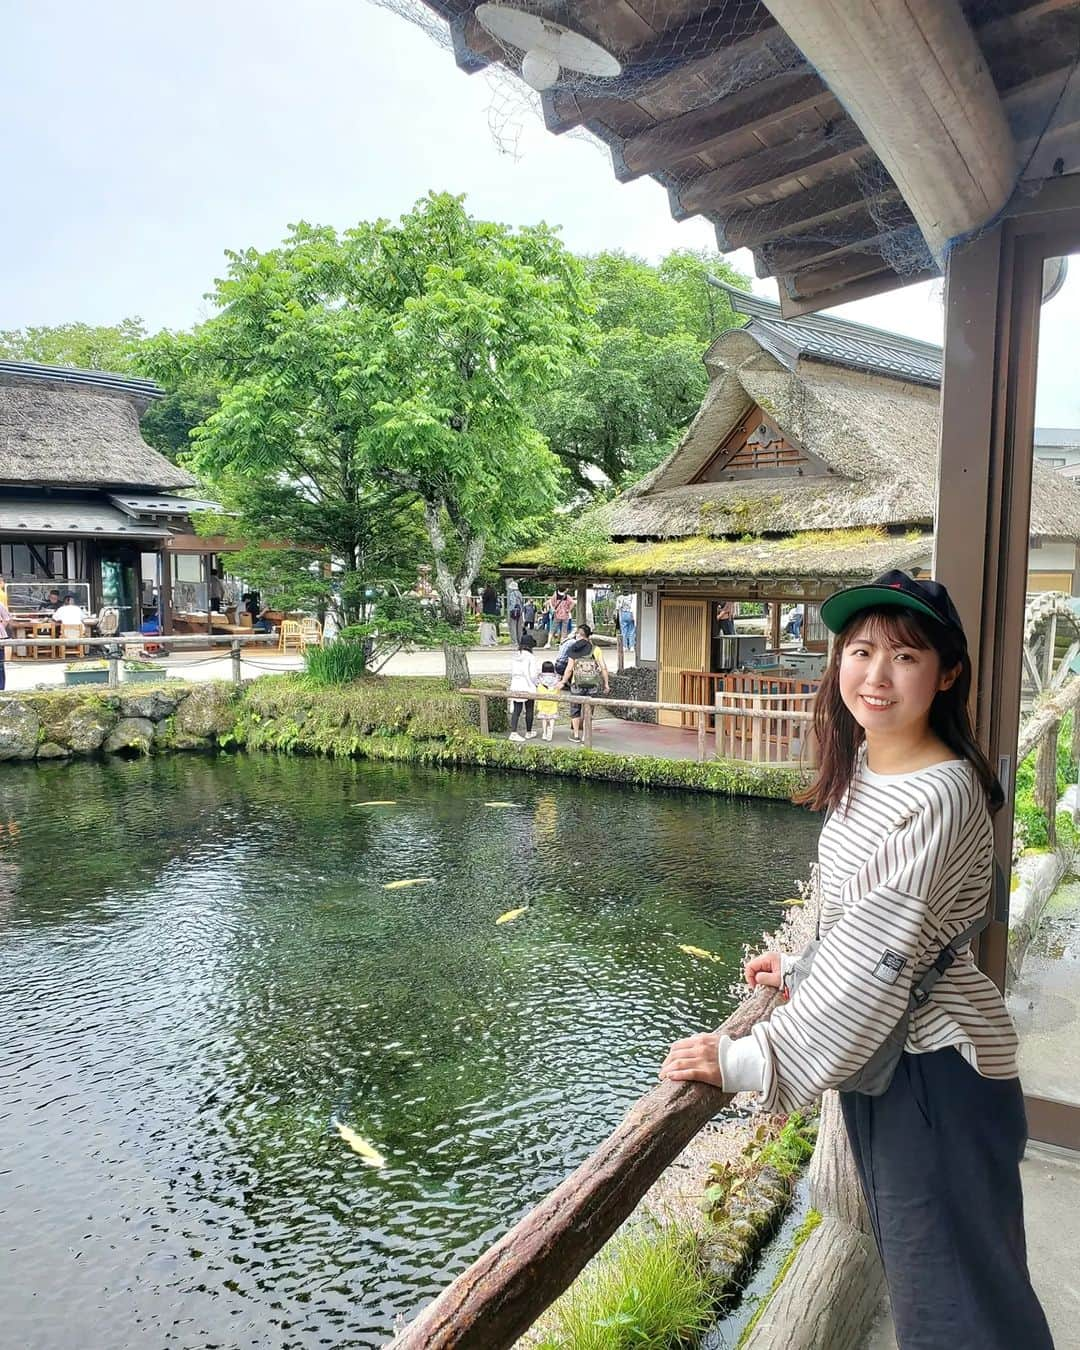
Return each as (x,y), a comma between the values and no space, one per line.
(88,507)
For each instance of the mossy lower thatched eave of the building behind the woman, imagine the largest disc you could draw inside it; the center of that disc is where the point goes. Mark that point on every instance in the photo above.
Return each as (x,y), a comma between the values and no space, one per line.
(832,556)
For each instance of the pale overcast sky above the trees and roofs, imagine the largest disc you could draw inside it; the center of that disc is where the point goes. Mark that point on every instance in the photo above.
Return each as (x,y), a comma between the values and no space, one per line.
(146,140)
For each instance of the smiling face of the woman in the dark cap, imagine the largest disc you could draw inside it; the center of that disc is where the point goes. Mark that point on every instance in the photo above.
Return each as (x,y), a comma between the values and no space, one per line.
(888,686)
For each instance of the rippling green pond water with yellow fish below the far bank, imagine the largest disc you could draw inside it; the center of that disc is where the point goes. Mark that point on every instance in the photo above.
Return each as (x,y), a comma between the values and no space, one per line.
(203,969)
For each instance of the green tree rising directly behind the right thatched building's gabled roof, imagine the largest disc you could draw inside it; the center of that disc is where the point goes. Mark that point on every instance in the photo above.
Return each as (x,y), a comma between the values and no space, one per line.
(641,379)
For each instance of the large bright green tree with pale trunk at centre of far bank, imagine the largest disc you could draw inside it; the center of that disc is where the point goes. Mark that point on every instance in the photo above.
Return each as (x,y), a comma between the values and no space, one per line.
(395,364)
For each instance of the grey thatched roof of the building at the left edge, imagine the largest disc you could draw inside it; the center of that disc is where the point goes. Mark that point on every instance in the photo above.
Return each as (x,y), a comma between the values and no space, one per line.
(78,434)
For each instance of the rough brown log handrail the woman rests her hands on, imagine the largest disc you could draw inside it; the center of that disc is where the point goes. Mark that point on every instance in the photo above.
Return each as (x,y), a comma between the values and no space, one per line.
(500,1297)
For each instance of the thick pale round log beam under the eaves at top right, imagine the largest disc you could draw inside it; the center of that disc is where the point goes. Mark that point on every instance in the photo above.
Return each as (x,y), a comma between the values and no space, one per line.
(935,119)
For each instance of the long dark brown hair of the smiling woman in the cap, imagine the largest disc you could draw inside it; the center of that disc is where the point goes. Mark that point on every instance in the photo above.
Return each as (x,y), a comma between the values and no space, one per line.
(839,735)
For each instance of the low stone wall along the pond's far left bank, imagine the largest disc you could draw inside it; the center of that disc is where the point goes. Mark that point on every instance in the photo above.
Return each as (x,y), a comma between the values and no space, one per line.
(61,724)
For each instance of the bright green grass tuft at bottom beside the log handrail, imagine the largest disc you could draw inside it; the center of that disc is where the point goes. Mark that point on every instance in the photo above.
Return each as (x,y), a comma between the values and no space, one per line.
(649,1290)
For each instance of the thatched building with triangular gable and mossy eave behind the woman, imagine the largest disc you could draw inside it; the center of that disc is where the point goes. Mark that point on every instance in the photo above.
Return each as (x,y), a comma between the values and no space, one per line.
(811,465)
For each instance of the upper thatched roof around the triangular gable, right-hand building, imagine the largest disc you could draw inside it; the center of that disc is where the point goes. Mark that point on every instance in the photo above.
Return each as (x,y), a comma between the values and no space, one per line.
(877,438)
